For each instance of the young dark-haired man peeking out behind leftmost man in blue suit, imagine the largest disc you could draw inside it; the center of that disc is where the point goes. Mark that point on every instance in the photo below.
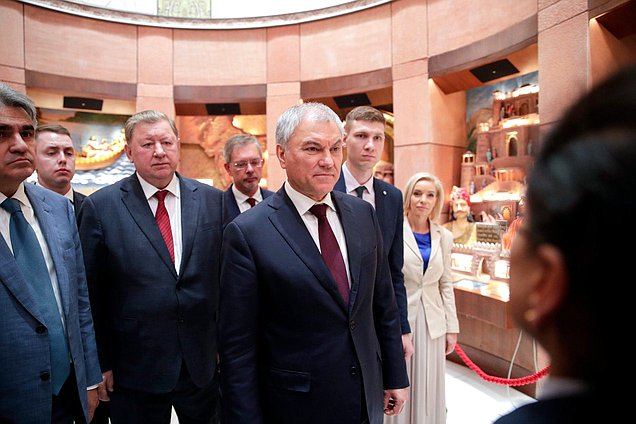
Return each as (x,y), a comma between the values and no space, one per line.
(55,162)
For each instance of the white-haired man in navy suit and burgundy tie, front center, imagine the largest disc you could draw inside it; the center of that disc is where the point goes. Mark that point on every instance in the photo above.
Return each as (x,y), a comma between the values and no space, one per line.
(306,339)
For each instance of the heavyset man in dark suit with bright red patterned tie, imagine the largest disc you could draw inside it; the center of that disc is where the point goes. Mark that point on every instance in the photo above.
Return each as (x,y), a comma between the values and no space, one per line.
(152,245)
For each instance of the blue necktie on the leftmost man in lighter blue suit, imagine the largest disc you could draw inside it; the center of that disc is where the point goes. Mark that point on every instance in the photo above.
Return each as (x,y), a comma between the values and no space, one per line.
(28,254)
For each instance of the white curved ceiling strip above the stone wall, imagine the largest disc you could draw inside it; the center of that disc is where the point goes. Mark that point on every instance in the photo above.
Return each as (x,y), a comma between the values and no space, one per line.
(207,14)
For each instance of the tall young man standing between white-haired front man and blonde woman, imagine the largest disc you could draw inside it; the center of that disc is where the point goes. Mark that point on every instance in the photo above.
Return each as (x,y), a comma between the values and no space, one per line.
(364,140)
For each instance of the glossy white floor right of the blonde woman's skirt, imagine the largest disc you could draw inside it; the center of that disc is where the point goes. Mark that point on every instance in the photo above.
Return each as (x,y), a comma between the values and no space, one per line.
(470,399)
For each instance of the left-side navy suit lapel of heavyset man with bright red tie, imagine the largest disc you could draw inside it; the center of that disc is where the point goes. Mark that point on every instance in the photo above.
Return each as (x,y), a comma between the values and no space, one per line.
(135,202)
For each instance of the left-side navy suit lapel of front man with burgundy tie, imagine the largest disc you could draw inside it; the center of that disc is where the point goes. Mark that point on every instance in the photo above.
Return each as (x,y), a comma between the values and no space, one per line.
(291,226)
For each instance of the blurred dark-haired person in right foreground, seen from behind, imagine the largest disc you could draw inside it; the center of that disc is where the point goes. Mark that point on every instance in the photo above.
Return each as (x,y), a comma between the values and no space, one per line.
(570,276)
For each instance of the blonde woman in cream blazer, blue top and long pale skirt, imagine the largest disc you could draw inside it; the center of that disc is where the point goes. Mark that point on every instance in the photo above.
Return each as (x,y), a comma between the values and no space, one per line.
(431,301)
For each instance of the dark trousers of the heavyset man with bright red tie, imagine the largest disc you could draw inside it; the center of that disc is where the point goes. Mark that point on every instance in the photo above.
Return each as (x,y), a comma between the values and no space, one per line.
(193,404)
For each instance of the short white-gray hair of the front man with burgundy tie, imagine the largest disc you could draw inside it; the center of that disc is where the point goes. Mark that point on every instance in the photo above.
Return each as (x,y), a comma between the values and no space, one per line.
(292,117)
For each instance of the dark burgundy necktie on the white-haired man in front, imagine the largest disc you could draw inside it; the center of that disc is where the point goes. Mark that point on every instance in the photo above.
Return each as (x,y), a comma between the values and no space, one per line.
(331,251)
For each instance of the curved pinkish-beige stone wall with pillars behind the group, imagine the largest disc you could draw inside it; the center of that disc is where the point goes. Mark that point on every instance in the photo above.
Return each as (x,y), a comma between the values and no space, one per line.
(392,46)
